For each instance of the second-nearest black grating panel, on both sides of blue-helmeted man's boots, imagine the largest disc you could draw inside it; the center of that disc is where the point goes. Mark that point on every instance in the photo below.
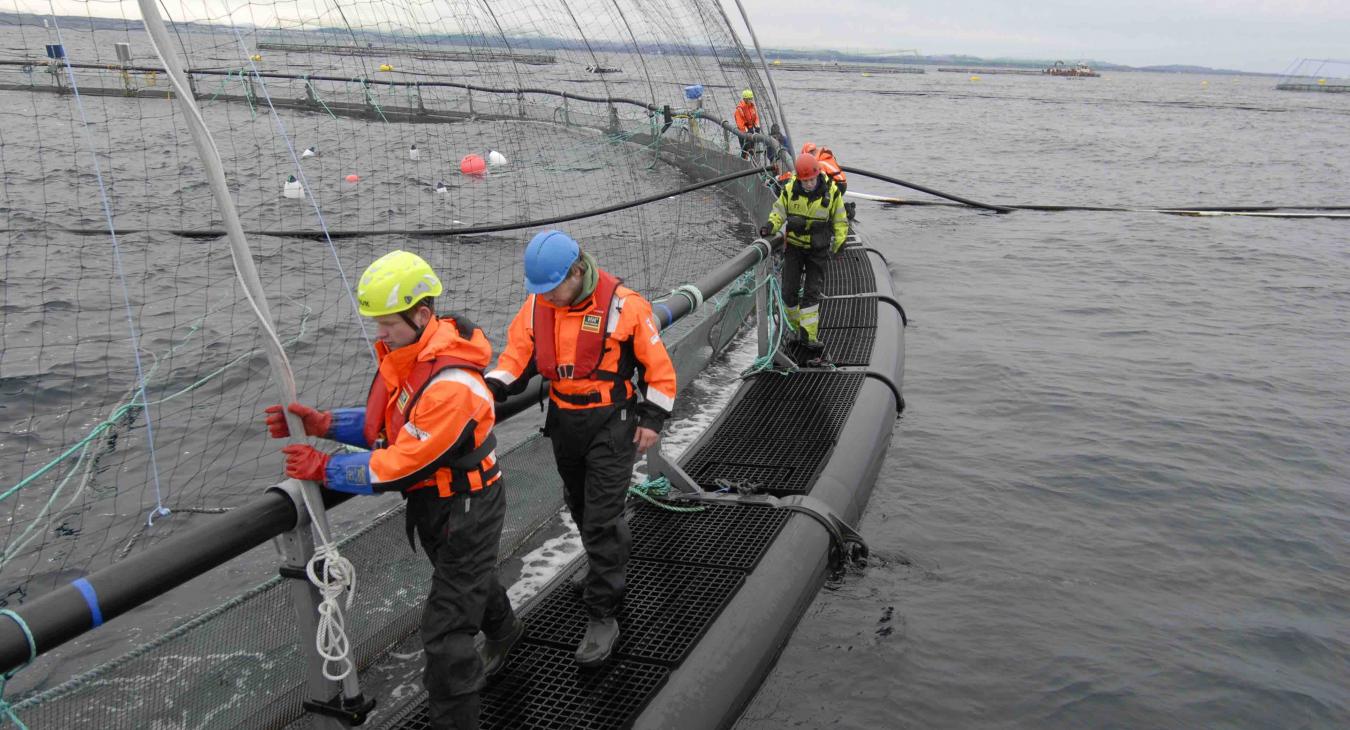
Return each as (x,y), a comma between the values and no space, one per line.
(666,609)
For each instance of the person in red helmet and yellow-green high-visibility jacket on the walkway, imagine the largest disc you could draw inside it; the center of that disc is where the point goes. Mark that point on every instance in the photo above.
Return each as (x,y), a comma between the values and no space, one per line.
(811,214)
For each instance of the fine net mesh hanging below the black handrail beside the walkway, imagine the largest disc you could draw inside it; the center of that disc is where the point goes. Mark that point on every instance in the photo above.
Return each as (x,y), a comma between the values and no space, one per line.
(244,665)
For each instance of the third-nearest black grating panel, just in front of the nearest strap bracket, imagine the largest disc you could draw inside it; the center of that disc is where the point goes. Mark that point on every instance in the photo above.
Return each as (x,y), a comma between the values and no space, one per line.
(730,536)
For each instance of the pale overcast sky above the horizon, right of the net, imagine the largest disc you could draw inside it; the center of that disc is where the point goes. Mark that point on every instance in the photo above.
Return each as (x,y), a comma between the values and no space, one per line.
(1255,36)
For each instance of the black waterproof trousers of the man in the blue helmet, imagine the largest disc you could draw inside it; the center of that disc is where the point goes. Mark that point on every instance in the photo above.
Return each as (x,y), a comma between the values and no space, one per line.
(595,451)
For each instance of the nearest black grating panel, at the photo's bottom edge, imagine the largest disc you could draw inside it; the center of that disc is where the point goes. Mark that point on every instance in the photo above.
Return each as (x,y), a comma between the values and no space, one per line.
(542,689)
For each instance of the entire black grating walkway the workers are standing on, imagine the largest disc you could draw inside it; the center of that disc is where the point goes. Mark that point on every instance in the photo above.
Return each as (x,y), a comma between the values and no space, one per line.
(778,432)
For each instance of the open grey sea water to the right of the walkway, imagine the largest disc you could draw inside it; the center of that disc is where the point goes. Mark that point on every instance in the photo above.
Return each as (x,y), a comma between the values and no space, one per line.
(1120,495)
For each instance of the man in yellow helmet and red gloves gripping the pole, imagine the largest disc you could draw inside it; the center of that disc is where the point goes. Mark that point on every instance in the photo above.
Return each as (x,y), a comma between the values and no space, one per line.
(429,424)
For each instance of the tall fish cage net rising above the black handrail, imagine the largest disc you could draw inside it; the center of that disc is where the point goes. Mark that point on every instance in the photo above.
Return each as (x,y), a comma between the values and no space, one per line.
(132,362)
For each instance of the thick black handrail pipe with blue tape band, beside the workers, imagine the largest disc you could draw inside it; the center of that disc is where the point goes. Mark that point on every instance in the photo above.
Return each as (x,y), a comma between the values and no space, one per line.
(87,604)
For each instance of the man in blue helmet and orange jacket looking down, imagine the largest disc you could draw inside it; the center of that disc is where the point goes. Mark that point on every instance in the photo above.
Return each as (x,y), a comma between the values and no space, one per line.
(588,335)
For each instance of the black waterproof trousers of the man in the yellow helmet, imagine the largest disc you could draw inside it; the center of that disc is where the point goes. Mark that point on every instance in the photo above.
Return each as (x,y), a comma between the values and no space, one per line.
(460,535)
